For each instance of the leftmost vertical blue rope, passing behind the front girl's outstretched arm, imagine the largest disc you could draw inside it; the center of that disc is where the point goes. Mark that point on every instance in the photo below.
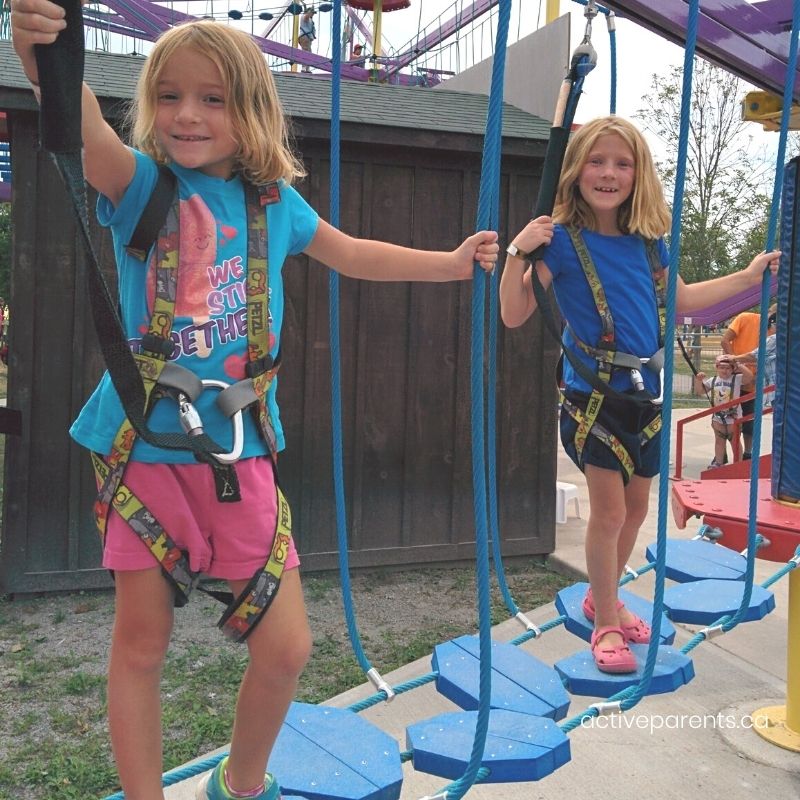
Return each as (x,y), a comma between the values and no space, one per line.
(336,370)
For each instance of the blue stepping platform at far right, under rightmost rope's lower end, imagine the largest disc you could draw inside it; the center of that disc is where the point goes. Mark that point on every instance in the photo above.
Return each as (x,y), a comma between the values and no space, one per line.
(704,602)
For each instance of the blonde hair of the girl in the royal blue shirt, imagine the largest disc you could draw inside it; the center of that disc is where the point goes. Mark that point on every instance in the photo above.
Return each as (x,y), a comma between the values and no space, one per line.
(644,213)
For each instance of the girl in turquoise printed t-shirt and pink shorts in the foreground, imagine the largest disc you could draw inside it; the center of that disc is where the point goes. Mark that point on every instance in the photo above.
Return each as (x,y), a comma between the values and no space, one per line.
(207,108)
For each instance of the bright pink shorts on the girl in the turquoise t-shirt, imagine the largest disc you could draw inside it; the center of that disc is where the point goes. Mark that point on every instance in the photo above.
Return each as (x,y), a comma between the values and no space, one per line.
(224,540)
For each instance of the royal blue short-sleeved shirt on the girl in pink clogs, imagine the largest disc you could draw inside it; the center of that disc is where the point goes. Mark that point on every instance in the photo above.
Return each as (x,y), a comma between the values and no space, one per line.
(624,272)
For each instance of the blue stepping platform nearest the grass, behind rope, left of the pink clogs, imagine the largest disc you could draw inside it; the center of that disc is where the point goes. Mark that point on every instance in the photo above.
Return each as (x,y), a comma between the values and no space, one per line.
(520,681)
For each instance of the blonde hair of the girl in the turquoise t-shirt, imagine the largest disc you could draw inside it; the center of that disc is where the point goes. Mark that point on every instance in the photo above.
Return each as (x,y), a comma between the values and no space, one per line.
(257,118)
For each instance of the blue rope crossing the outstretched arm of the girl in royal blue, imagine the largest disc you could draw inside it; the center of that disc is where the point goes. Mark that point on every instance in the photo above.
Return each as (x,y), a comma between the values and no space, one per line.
(669,354)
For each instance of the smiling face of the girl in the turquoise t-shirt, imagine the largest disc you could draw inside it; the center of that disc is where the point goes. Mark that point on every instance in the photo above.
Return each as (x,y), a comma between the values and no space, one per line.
(192,123)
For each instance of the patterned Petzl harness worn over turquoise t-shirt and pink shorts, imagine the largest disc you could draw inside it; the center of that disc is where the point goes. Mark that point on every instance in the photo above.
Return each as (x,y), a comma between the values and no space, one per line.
(159,223)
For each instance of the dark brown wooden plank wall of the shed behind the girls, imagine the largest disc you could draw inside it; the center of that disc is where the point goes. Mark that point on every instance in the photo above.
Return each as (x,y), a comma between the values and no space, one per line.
(405,371)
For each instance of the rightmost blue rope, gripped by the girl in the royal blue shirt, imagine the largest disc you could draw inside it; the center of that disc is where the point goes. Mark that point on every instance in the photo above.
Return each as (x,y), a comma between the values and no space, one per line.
(788,94)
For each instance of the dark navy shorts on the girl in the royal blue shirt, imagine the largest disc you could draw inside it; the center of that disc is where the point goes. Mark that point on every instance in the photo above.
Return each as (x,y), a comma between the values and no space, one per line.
(625,421)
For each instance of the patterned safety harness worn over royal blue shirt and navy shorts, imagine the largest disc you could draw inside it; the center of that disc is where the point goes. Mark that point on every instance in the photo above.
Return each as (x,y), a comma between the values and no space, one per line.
(609,359)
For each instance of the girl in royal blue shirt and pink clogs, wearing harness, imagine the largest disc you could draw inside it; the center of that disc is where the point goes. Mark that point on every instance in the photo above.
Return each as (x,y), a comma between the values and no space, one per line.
(606,259)
